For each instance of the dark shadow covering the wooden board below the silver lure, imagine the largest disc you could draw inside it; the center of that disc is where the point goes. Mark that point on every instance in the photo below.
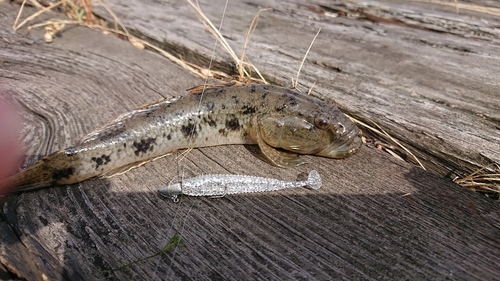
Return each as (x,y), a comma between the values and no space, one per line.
(332,233)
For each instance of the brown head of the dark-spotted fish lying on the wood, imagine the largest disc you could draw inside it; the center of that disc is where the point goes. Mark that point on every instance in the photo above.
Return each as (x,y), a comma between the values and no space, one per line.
(310,126)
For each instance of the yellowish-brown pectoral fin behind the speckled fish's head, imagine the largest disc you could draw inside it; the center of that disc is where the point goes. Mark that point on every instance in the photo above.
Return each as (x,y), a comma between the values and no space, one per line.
(277,157)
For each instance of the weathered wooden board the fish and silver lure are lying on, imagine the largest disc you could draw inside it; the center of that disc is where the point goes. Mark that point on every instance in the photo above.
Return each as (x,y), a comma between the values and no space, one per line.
(375,218)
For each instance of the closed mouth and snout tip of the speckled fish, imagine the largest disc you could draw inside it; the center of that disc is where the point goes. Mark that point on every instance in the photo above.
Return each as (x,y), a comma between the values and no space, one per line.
(344,146)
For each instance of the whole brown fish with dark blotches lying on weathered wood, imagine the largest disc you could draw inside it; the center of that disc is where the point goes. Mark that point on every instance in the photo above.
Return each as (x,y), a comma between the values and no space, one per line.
(282,122)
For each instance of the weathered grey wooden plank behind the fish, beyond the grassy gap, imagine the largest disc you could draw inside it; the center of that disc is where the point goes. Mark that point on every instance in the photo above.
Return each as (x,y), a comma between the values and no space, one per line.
(426,75)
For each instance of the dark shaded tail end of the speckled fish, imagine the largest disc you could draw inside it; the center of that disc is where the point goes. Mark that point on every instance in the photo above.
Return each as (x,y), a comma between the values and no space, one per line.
(50,170)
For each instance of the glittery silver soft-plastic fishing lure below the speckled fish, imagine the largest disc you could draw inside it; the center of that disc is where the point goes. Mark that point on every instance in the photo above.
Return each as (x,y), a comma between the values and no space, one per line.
(223,184)
